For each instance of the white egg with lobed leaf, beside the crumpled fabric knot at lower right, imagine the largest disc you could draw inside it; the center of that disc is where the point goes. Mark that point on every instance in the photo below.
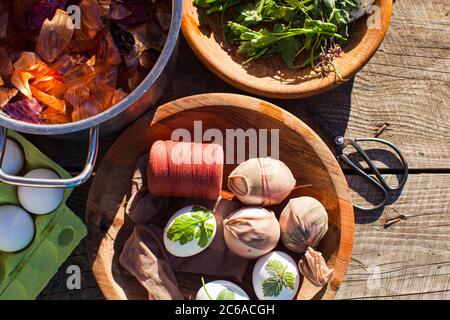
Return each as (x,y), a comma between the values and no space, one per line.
(263,273)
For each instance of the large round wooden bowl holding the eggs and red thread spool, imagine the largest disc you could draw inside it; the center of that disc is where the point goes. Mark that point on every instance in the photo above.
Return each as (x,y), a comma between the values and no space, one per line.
(300,148)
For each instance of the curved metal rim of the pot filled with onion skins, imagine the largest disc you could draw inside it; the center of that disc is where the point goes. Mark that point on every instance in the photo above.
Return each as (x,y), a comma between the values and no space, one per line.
(134,96)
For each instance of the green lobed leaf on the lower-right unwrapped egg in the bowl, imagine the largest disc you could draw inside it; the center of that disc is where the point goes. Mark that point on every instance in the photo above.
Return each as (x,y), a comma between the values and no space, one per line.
(279,278)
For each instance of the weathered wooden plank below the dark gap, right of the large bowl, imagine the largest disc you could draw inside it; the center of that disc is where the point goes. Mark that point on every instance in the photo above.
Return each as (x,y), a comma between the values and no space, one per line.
(411,258)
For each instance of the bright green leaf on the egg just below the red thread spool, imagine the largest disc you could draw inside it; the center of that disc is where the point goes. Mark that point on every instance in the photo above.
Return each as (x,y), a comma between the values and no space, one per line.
(193,225)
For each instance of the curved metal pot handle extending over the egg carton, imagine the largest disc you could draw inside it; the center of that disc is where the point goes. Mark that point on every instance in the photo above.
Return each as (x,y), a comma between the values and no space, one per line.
(53,183)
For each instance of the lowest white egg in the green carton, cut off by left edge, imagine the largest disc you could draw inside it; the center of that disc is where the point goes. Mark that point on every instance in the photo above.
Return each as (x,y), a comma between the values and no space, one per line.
(16,228)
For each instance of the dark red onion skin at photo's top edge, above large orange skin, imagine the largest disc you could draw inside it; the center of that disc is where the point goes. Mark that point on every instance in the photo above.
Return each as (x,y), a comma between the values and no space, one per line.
(43,10)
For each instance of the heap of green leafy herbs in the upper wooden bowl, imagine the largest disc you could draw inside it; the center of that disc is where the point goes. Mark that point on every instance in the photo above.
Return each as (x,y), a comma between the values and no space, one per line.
(290,28)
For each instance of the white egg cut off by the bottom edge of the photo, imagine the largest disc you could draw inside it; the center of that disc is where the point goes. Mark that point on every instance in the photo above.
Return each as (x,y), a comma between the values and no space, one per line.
(218,289)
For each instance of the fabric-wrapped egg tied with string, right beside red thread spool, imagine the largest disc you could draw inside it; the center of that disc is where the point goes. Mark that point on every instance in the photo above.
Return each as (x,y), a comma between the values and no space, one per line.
(261,182)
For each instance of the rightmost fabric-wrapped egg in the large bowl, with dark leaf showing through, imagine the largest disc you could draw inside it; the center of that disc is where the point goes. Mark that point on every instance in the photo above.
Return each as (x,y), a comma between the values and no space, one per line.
(303,222)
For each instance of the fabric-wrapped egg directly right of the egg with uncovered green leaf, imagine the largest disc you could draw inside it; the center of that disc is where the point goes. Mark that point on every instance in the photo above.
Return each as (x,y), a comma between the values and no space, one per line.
(251,232)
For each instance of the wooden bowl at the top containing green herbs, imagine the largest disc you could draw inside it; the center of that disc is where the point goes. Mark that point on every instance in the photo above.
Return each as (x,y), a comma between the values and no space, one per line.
(271,77)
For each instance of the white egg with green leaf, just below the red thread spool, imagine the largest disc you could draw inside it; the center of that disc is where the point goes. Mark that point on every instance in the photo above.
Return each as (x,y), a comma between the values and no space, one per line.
(192,247)
